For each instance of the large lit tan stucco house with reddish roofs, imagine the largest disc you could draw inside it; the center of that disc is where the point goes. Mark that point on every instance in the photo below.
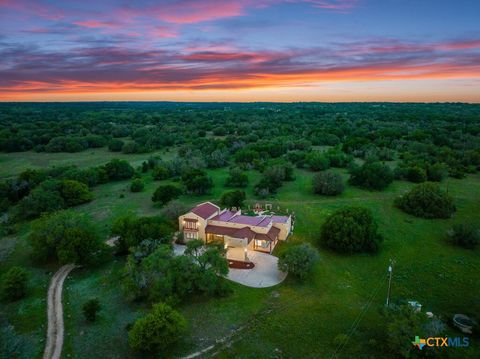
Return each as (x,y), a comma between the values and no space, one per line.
(260,233)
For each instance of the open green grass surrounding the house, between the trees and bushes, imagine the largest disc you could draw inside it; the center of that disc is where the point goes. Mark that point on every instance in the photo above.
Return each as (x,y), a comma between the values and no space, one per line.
(290,320)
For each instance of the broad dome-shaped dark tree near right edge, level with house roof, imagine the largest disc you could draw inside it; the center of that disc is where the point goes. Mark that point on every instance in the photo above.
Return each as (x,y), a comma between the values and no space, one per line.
(426,200)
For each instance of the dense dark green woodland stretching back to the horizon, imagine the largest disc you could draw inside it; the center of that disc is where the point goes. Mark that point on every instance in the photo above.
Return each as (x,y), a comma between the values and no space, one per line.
(428,141)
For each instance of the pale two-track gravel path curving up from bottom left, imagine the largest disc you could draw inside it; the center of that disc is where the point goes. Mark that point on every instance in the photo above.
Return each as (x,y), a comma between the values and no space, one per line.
(53,348)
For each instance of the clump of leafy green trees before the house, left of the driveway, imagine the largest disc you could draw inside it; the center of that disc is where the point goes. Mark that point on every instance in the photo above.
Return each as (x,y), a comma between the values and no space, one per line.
(153,272)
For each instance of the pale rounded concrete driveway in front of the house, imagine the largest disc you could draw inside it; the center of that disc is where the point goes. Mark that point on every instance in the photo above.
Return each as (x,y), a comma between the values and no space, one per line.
(264,274)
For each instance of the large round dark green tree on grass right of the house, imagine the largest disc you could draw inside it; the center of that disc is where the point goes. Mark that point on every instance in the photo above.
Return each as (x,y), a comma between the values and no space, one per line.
(351,230)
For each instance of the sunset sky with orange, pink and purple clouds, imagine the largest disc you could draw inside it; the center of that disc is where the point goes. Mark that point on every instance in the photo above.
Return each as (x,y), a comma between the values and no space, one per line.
(245,50)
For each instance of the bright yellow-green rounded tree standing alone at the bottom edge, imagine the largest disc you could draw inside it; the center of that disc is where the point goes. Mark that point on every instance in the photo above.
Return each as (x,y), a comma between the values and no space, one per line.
(159,329)
